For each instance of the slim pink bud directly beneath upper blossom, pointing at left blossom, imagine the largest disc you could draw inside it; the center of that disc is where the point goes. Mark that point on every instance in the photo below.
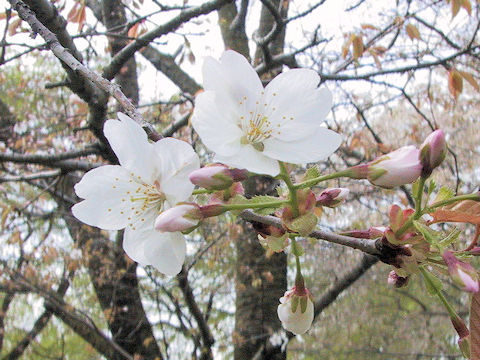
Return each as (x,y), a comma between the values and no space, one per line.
(217,176)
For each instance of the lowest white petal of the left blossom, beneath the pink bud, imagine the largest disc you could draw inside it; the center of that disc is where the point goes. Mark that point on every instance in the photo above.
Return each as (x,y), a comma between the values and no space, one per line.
(166,252)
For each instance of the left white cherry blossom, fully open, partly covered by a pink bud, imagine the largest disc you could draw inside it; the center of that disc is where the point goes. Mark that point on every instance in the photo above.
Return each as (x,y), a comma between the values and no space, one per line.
(150,178)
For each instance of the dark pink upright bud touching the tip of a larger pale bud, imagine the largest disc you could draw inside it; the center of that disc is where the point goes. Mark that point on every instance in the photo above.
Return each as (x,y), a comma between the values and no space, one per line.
(432,152)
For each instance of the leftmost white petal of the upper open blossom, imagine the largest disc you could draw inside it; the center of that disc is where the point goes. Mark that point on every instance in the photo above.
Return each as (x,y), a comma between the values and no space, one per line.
(212,124)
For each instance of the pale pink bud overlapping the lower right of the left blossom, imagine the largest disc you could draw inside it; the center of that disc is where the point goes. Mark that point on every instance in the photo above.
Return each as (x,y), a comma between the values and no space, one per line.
(182,217)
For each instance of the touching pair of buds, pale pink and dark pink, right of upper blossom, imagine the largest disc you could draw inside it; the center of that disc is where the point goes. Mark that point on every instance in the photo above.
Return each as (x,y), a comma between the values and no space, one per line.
(404,165)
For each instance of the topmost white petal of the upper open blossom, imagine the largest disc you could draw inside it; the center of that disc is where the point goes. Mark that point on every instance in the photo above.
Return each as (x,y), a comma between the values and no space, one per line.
(232,79)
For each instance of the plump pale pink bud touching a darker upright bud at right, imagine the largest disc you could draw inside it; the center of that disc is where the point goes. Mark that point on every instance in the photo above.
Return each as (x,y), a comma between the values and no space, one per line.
(399,167)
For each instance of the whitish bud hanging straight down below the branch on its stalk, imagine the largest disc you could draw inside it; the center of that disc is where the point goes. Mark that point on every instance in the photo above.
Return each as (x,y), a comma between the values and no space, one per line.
(296,310)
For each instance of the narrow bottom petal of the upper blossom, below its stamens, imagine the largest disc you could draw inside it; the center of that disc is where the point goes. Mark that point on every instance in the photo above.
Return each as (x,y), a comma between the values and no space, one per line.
(252,160)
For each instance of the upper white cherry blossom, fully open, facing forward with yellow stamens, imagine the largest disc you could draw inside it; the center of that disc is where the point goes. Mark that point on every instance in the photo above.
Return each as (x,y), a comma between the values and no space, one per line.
(252,127)
